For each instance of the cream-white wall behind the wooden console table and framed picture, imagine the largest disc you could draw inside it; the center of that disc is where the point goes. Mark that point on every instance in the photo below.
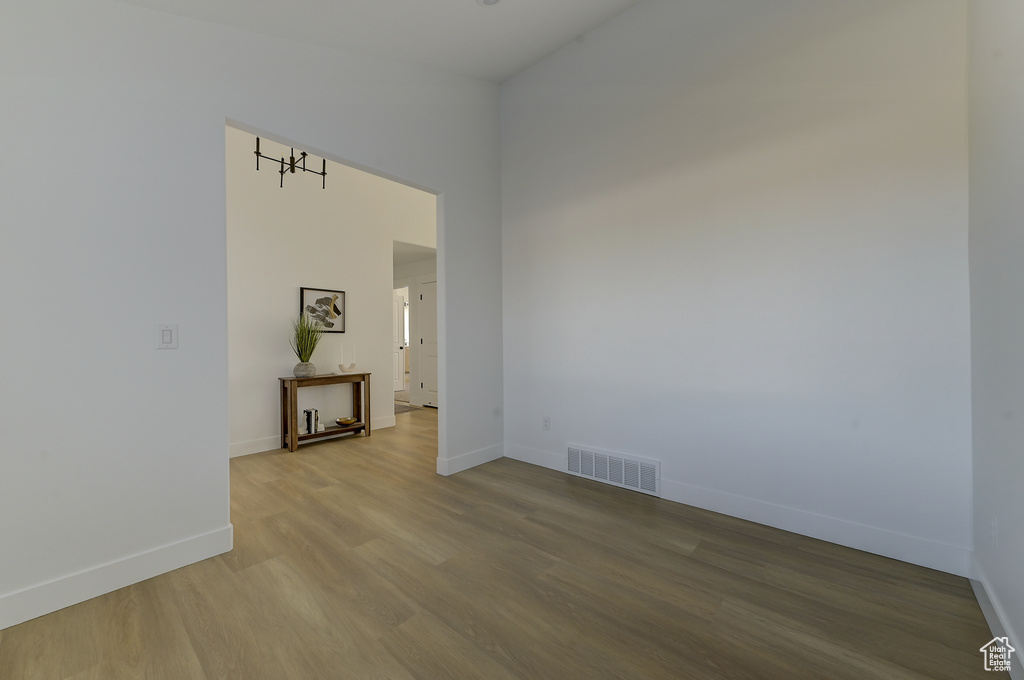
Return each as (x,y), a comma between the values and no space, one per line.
(280,239)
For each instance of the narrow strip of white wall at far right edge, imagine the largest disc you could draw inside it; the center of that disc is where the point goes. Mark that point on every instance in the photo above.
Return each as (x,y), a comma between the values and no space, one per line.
(997,313)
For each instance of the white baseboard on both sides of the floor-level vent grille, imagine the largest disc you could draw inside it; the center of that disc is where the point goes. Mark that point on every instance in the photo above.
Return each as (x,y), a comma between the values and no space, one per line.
(952,560)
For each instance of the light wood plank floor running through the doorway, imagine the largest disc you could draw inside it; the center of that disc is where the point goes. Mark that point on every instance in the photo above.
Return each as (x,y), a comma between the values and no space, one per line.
(354,560)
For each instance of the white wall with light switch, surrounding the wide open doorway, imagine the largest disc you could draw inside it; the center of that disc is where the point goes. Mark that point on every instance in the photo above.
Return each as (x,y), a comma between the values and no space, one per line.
(114,462)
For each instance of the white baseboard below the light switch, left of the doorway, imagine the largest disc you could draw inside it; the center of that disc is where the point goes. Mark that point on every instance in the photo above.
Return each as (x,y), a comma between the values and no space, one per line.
(44,599)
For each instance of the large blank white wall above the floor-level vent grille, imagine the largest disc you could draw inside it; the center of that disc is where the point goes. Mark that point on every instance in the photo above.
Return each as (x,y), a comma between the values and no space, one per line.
(736,240)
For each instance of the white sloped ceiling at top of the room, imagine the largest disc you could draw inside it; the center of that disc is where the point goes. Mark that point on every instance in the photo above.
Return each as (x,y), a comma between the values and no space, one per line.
(457,36)
